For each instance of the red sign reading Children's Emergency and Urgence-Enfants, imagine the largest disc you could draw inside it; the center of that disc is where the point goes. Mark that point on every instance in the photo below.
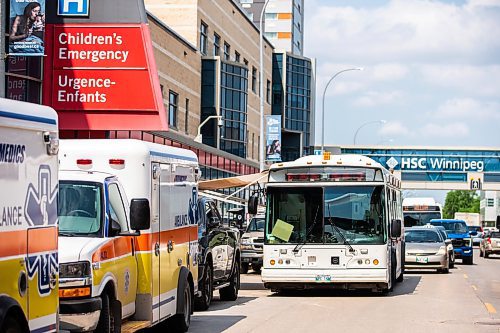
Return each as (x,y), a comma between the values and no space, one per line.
(102,76)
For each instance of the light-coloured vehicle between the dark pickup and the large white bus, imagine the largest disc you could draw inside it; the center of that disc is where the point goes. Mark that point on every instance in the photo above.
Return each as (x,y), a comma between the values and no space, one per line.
(252,241)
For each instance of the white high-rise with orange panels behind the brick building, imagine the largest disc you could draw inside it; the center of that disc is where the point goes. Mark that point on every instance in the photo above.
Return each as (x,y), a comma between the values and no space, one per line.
(283,22)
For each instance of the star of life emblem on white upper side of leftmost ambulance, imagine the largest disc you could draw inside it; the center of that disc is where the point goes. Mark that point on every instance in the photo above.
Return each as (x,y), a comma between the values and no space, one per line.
(40,208)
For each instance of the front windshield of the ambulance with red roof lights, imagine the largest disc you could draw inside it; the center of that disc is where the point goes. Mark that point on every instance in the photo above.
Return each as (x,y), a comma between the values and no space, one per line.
(79,208)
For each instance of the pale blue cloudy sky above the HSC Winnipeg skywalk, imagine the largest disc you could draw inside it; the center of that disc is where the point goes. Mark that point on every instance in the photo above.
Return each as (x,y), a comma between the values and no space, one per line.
(431,70)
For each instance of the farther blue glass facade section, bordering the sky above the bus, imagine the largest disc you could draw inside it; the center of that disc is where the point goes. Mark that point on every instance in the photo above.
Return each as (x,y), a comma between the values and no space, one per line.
(291,97)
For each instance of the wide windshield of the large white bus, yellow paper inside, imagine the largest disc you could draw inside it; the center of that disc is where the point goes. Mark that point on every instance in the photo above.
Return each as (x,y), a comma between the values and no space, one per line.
(326,215)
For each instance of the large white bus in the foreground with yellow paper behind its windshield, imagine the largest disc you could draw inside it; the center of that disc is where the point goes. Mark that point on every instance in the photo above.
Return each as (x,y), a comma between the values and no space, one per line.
(333,222)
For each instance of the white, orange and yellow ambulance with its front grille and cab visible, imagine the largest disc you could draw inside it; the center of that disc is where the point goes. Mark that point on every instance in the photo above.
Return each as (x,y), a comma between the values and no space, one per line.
(127,236)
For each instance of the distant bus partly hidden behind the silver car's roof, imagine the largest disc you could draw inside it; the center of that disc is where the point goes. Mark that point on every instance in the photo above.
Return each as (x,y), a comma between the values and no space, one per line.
(420,211)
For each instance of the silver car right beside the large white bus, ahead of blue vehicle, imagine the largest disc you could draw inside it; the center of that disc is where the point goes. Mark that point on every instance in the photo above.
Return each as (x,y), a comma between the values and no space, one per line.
(425,249)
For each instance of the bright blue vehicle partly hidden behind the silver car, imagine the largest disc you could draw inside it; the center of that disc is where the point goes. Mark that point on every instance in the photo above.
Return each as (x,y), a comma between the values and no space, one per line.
(460,238)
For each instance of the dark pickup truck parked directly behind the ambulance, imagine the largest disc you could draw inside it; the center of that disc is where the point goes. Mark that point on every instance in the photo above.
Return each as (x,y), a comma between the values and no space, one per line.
(218,258)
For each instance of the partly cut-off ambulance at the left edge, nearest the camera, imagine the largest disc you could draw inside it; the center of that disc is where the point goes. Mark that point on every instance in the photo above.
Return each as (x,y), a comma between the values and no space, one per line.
(28,220)
